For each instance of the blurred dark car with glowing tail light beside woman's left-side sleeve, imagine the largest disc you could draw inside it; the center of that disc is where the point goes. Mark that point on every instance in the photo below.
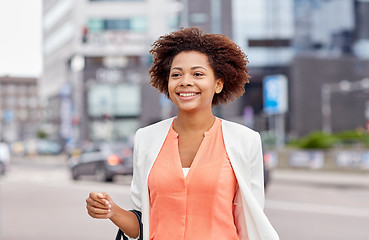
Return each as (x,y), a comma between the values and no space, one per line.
(103,161)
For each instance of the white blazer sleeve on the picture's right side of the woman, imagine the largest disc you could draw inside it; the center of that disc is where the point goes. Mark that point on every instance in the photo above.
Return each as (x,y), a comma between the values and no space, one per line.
(257,172)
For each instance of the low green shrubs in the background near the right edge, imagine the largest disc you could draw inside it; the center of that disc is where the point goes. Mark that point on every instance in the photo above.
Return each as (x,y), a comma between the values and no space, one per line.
(320,140)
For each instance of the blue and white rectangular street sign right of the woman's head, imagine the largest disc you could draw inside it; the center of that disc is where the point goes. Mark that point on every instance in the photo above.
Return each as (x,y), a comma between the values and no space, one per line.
(275,94)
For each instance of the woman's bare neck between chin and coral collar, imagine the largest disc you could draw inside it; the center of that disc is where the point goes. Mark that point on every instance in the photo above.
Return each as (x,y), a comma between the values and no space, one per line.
(194,122)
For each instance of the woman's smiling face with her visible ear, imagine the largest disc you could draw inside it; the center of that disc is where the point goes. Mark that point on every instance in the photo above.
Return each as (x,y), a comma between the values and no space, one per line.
(192,83)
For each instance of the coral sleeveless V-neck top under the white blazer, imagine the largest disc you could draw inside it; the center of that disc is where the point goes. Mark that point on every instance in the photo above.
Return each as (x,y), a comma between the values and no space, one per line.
(199,206)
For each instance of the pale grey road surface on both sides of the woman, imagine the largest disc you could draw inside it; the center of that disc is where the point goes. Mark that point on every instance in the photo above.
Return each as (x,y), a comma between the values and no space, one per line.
(39,201)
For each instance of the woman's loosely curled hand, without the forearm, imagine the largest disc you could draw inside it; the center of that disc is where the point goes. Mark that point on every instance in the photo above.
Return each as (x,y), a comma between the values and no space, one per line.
(99,205)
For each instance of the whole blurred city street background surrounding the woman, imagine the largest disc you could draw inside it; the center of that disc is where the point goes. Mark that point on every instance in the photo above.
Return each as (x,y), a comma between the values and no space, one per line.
(74,89)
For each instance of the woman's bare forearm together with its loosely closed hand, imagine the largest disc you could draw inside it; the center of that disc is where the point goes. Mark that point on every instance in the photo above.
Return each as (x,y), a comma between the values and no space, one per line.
(101,206)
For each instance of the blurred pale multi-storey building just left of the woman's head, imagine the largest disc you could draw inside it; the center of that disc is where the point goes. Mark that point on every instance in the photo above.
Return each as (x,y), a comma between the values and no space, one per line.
(95,65)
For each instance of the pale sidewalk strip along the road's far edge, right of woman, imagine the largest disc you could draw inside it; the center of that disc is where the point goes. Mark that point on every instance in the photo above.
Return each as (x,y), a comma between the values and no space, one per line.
(341,179)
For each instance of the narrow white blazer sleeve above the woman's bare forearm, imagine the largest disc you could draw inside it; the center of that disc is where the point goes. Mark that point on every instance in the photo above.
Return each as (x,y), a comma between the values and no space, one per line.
(136,184)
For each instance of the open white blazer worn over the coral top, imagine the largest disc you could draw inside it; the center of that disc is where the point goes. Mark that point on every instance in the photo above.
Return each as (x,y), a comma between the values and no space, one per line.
(243,146)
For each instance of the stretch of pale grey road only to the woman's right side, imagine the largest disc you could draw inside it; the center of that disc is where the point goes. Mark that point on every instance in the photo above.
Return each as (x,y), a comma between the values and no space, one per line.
(320,206)
